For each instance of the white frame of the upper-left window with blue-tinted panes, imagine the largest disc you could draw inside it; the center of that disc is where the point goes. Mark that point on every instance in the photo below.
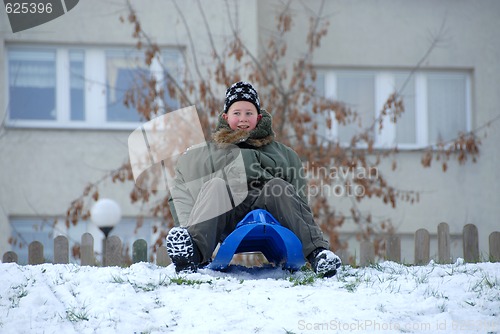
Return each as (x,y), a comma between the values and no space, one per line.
(95,87)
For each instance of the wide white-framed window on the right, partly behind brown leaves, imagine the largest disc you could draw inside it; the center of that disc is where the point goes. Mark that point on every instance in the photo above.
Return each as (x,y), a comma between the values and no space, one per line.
(437,104)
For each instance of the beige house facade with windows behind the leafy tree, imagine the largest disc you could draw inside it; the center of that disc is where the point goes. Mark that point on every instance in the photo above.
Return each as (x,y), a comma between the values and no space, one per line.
(64,123)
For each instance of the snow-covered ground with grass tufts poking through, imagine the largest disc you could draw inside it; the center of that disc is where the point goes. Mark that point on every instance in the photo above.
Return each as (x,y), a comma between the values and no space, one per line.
(144,298)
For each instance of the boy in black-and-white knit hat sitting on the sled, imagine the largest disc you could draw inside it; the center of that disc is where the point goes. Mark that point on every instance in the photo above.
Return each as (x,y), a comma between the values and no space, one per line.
(273,182)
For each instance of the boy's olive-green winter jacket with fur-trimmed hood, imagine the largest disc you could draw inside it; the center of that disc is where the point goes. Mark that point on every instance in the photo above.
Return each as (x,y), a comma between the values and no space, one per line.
(251,158)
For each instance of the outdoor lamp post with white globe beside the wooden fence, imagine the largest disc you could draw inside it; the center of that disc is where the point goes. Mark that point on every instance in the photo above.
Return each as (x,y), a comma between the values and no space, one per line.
(106,214)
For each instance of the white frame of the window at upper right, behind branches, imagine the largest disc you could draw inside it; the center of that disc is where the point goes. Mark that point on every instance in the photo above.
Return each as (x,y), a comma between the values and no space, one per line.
(384,87)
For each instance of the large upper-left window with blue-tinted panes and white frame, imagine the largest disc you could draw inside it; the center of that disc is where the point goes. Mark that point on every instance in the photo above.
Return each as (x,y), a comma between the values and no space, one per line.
(80,88)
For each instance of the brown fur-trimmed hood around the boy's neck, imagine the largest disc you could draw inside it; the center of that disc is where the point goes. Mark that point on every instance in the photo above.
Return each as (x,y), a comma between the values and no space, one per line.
(262,135)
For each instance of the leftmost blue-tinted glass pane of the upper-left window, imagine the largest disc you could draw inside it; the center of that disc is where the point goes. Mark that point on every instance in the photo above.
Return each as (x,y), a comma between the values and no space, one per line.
(32,84)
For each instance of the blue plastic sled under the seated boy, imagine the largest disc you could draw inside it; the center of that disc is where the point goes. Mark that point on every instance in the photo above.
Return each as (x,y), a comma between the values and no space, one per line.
(259,231)
